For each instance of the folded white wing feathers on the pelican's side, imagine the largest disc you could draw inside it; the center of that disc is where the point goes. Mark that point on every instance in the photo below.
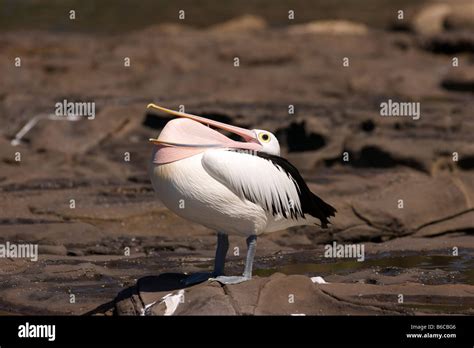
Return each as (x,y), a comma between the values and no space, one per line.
(250,176)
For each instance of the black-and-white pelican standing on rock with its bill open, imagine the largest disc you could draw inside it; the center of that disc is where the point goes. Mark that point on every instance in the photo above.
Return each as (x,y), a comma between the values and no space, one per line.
(233,187)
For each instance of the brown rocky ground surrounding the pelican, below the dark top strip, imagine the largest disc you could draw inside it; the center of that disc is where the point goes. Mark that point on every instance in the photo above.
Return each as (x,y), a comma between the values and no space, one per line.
(423,250)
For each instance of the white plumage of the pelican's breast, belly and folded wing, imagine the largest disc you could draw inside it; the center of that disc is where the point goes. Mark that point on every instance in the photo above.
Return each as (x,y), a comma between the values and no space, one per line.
(207,189)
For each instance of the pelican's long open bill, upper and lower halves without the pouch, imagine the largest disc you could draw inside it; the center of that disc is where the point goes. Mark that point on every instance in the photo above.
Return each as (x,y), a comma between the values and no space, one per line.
(248,135)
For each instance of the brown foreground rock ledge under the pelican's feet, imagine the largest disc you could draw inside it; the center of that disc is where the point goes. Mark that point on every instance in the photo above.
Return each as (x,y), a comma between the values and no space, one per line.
(298,295)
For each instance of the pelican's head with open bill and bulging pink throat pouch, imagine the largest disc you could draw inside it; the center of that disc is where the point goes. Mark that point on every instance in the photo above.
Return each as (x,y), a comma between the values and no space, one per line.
(189,135)
